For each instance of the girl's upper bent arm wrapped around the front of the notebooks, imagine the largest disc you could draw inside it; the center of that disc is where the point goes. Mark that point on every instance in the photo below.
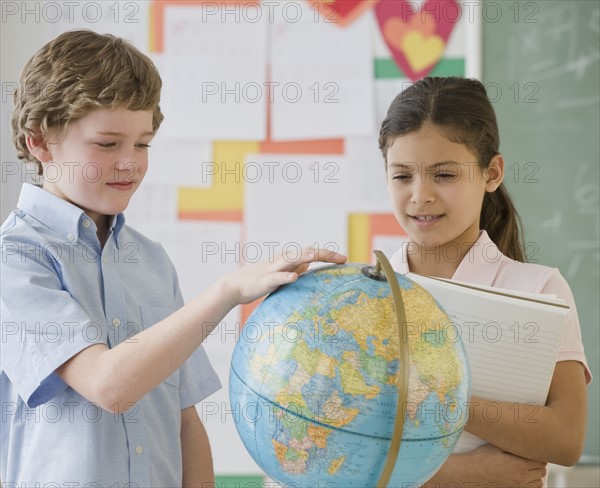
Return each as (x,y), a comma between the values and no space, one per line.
(553,433)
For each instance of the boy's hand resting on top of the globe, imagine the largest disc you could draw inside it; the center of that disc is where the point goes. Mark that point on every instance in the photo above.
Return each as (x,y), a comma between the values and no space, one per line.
(255,280)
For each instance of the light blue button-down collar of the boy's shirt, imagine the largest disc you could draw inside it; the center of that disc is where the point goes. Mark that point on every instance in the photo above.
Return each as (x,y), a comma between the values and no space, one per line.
(64,218)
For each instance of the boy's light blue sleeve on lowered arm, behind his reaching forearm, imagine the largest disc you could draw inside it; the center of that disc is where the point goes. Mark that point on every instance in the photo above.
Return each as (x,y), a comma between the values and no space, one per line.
(197,378)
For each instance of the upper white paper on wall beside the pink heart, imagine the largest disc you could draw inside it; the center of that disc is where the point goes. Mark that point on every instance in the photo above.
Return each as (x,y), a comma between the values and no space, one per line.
(322,75)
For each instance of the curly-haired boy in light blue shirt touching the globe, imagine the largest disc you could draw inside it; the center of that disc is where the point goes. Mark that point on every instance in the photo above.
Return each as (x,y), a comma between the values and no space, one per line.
(101,361)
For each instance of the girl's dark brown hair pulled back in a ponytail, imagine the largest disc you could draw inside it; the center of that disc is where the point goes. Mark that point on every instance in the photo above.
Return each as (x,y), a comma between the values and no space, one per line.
(462,109)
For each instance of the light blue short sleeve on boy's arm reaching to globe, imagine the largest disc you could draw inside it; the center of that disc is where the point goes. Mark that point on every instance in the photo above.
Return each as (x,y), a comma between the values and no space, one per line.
(42,325)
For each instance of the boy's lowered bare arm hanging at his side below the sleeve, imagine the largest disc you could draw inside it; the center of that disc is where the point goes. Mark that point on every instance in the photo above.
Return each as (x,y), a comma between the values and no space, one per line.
(195,451)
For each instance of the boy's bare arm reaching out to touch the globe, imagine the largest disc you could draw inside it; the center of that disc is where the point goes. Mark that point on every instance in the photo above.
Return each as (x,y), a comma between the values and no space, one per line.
(117,378)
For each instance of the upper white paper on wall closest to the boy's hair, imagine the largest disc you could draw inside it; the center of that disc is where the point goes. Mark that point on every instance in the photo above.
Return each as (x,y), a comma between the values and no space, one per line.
(215,72)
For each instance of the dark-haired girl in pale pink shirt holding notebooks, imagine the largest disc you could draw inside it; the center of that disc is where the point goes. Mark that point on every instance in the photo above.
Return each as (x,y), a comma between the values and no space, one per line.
(440,144)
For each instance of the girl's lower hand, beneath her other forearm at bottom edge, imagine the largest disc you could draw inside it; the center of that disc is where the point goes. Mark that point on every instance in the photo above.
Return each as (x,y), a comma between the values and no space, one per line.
(502,469)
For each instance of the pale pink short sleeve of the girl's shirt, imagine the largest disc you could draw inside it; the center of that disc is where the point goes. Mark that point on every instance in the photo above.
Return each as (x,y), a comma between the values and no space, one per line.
(571,347)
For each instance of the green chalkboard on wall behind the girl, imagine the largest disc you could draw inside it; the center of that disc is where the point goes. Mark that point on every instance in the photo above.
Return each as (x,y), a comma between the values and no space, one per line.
(541,69)
